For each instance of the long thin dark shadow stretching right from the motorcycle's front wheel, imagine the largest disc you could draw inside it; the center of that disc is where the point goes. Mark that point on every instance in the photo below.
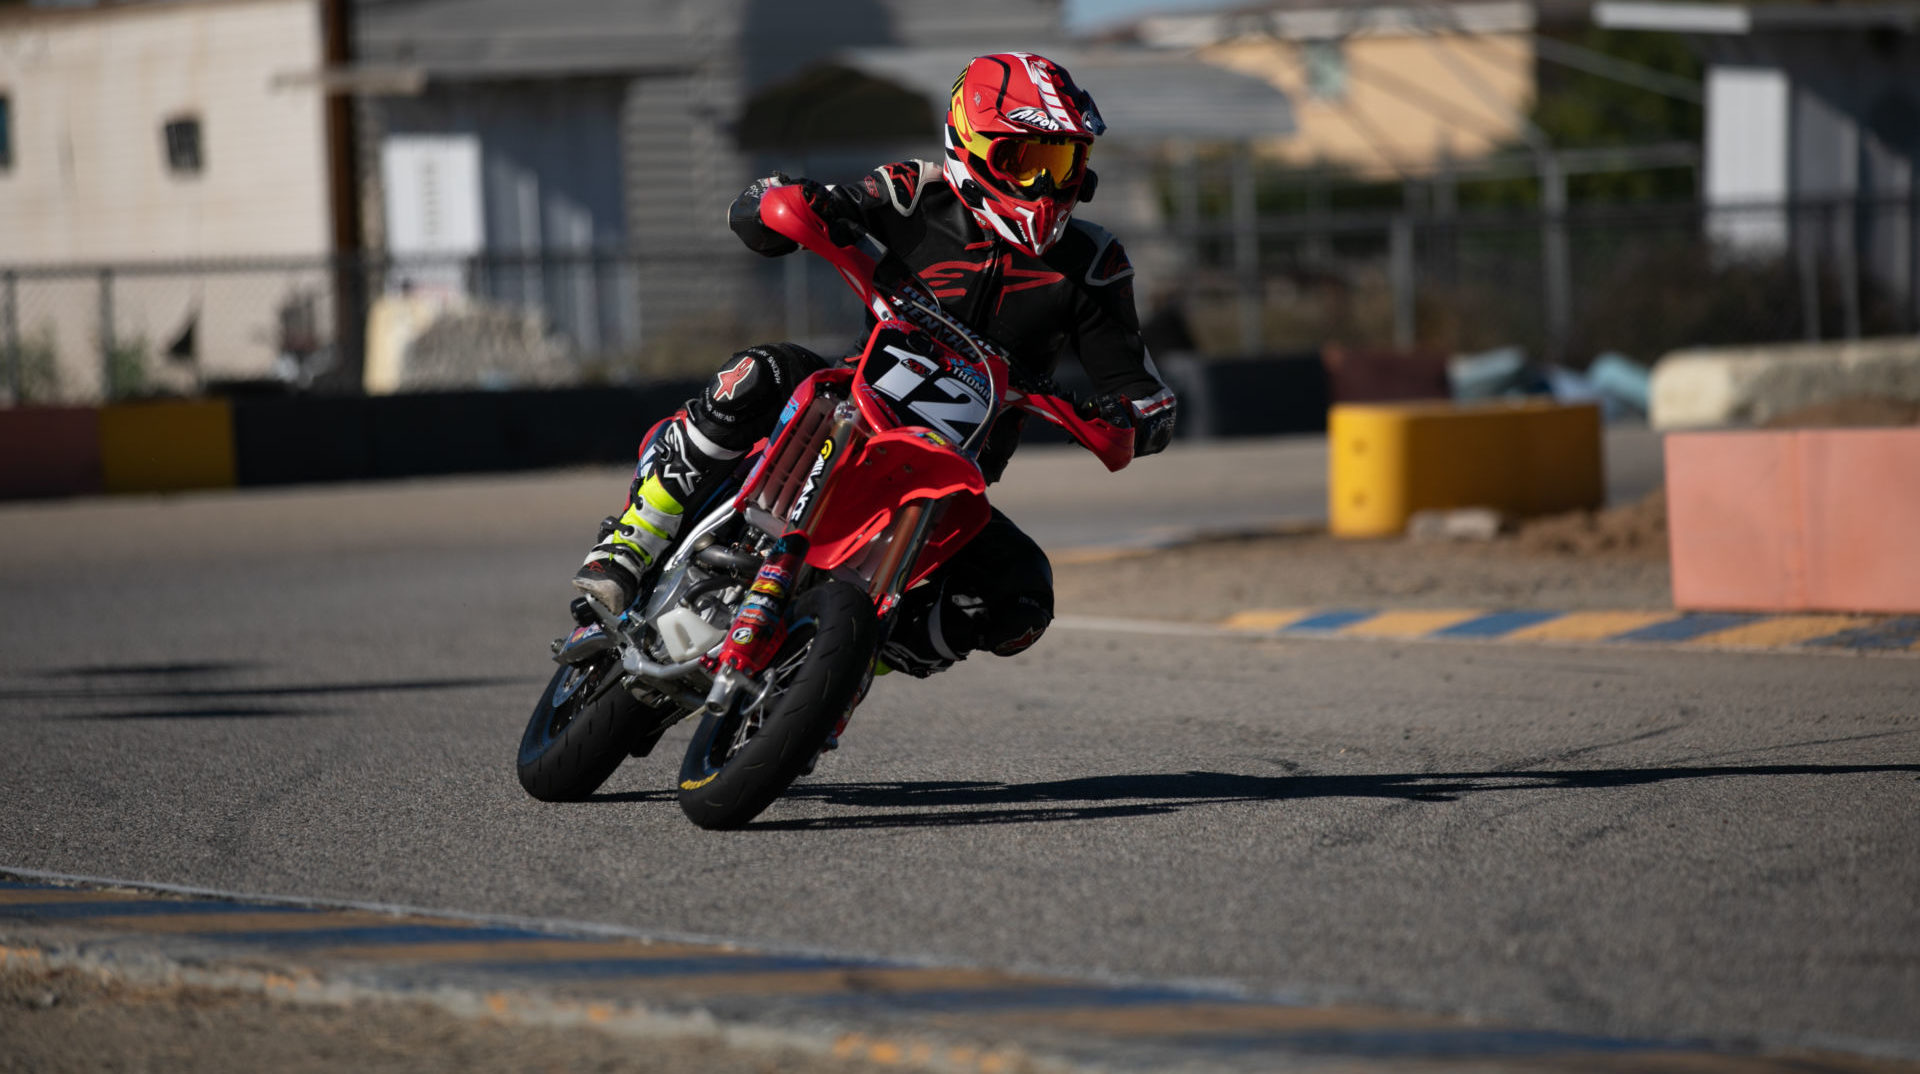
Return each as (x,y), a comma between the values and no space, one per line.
(1122,796)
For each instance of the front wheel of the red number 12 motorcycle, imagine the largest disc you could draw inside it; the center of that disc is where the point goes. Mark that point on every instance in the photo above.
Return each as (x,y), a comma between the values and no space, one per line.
(742,762)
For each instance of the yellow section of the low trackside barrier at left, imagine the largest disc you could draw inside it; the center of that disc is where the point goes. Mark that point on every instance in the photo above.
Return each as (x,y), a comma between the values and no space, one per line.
(168,447)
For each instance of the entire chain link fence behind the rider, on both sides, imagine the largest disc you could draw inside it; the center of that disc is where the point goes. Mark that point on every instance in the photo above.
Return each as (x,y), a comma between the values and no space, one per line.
(1564,287)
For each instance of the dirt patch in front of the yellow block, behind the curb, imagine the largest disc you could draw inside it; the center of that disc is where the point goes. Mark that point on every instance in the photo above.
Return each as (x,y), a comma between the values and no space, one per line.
(1579,562)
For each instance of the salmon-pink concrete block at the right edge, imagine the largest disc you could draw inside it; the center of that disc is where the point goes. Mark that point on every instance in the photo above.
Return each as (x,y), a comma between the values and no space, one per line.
(1819,520)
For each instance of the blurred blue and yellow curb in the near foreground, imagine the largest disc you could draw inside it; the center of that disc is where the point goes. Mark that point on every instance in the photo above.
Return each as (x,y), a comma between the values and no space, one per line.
(892,1013)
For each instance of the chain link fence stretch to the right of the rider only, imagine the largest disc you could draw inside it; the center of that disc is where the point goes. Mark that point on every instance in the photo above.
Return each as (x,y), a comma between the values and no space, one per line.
(1564,287)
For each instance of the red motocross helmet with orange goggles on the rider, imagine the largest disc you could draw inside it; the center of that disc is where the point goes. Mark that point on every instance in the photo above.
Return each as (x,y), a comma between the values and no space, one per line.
(1019,134)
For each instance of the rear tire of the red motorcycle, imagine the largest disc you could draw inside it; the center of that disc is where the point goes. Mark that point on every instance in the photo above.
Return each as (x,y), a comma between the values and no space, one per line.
(581,731)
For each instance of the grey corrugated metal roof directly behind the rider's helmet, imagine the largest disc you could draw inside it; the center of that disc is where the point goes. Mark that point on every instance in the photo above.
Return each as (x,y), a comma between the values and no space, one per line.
(1141,93)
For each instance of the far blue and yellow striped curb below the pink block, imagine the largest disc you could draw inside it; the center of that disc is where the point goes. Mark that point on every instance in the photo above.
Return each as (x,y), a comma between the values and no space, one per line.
(1681,629)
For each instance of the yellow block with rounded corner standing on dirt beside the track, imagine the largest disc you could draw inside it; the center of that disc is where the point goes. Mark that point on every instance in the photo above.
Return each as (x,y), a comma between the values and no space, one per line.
(1393,460)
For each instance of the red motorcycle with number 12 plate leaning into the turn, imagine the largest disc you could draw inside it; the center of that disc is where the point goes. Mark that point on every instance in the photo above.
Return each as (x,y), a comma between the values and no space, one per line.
(767,620)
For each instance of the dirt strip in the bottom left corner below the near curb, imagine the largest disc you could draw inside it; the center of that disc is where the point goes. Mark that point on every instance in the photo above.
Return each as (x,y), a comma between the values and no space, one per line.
(70,1021)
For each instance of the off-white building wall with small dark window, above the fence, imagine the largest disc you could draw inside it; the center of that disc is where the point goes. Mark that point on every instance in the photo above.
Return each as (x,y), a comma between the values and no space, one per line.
(91,93)
